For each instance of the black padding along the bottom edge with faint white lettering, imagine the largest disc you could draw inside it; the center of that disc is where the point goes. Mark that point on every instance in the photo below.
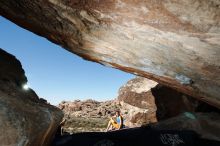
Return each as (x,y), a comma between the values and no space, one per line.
(141,136)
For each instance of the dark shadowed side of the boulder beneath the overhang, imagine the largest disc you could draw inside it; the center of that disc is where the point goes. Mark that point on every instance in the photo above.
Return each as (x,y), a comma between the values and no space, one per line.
(170,103)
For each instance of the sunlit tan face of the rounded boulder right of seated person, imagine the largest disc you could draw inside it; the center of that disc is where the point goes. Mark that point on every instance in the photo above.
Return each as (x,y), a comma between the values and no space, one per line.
(138,103)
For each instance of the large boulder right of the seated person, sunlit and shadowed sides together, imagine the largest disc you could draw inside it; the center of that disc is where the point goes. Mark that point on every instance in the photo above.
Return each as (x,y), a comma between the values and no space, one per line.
(144,101)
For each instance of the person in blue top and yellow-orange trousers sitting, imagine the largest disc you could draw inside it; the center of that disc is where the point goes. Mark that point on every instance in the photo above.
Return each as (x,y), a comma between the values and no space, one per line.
(115,124)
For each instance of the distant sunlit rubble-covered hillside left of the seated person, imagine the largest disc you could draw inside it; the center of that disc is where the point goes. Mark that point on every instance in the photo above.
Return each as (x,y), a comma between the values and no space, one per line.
(89,115)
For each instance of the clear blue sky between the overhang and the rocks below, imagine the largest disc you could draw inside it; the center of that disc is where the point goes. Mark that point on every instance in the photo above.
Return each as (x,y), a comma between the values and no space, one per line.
(56,74)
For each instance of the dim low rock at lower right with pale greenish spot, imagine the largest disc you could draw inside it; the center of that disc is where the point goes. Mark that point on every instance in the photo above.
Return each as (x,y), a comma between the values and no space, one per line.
(205,124)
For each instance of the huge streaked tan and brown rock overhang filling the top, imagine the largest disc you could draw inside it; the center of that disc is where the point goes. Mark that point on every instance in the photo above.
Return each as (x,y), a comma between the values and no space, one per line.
(174,42)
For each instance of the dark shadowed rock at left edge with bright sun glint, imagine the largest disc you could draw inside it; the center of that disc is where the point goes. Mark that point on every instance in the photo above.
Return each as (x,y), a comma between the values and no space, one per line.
(24,118)
